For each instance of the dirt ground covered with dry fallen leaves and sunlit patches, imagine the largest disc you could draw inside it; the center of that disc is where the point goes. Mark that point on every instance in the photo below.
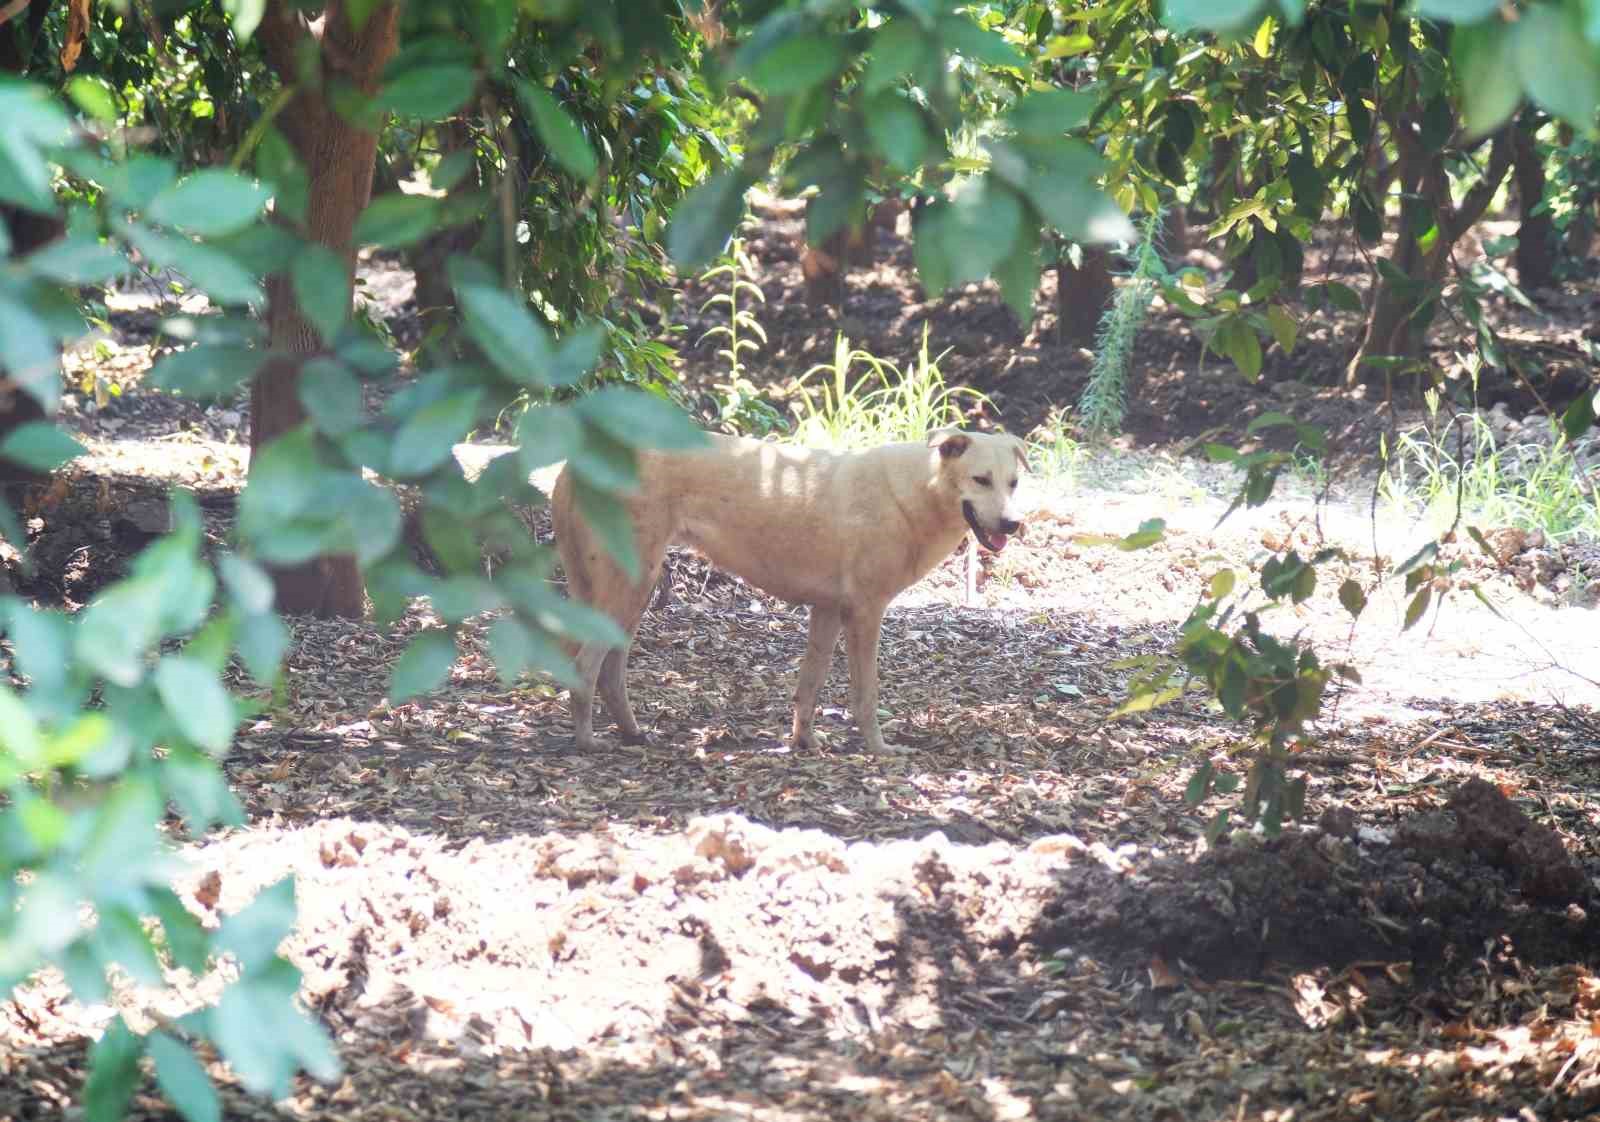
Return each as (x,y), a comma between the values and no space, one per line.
(1012,918)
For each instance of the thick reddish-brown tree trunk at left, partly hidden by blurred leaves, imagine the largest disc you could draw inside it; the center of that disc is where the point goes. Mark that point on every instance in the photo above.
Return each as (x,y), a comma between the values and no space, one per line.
(338,158)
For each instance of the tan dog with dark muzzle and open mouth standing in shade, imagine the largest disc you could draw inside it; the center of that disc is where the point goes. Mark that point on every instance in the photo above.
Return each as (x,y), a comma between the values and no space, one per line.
(841,532)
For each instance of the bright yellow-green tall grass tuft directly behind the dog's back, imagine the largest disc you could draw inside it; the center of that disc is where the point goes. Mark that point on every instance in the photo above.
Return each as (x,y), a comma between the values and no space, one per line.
(884,404)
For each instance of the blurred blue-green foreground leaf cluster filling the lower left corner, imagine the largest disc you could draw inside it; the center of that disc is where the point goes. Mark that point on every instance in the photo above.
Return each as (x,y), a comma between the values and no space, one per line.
(150,654)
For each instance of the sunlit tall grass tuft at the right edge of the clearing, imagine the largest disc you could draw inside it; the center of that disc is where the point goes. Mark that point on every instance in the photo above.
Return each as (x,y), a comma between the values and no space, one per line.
(1527,486)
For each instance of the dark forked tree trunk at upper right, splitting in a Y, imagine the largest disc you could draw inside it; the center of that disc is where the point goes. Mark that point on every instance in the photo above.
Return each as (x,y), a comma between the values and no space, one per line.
(1396,321)
